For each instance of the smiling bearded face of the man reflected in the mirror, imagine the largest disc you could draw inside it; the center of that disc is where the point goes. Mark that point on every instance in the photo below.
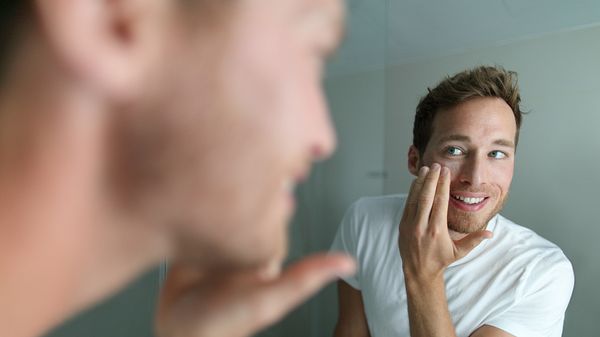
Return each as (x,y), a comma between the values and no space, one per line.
(475,140)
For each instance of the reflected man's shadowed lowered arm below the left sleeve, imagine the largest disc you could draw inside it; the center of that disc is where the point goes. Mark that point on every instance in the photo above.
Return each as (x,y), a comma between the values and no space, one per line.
(352,321)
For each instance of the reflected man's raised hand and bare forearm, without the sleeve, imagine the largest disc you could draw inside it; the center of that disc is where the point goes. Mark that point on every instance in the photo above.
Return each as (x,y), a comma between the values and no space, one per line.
(427,250)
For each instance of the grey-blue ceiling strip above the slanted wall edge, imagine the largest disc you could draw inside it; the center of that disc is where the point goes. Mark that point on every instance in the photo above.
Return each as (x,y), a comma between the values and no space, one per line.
(381,32)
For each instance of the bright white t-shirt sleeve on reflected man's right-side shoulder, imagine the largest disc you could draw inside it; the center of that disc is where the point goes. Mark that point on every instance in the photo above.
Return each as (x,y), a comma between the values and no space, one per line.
(539,309)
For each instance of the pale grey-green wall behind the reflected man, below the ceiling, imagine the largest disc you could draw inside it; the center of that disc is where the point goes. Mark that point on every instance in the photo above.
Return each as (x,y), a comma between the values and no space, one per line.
(556,186)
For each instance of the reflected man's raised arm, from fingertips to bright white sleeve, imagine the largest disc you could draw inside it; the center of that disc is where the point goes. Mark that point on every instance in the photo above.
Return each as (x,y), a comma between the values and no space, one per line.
(427,249)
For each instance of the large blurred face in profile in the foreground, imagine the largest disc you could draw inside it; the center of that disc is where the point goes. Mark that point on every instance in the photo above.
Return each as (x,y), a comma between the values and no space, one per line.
(239,125)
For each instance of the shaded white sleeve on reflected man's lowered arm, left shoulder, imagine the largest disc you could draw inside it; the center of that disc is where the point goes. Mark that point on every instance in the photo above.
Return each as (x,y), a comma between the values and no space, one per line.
(345,241)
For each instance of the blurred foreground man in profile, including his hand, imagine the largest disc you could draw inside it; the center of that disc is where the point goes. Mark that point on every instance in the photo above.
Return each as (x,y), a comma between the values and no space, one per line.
(137,130)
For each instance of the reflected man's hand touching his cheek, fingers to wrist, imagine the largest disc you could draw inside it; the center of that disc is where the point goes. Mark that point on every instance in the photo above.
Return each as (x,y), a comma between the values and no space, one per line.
(424,241)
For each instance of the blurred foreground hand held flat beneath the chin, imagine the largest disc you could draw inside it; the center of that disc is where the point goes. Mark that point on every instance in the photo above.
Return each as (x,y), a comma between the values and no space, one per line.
(196,303)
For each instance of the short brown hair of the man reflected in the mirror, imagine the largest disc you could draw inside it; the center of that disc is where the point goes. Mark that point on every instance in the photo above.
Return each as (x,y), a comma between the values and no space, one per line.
(483,81)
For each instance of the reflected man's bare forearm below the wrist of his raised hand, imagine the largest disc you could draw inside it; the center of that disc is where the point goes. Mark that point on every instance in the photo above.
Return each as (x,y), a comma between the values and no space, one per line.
(428,308)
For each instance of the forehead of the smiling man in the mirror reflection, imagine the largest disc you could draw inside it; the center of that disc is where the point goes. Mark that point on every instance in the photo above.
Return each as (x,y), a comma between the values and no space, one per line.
(483,119)
